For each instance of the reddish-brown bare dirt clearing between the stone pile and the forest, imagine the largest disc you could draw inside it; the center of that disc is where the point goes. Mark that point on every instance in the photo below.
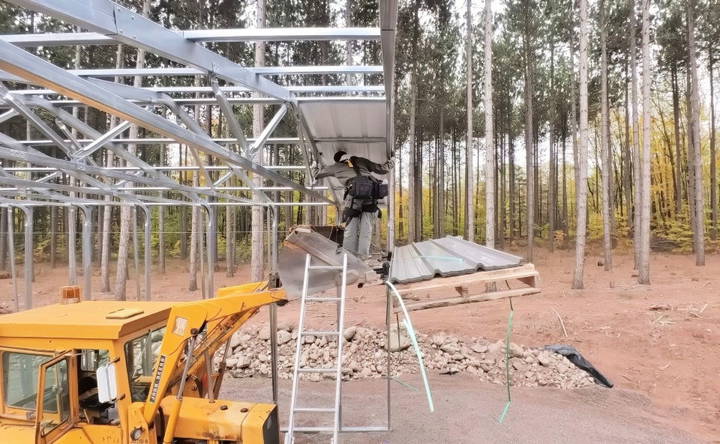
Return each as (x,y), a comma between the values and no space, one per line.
(659,343)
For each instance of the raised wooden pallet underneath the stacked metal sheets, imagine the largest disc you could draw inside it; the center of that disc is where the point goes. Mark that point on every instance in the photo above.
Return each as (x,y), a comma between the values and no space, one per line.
(475,287)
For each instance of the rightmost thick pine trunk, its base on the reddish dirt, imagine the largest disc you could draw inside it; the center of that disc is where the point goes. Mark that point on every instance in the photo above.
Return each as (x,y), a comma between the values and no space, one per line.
(697,152)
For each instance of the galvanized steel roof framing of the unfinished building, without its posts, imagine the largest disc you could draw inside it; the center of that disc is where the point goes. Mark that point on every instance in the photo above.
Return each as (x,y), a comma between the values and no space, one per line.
(150,107)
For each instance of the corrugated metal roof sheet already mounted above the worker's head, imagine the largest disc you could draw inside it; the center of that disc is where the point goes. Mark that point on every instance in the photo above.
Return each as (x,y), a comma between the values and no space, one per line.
(350,119)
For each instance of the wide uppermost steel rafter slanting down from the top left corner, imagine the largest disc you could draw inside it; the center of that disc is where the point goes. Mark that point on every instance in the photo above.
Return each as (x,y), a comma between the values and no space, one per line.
(130,28)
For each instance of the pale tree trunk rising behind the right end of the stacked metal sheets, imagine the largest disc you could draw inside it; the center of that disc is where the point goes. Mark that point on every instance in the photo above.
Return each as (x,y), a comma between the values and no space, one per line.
(489,149)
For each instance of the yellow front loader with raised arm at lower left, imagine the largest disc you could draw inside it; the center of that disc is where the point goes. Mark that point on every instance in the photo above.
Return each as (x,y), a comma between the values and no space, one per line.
(128,372)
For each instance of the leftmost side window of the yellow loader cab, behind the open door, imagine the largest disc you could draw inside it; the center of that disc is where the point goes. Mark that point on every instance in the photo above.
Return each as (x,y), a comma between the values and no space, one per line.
(20,371)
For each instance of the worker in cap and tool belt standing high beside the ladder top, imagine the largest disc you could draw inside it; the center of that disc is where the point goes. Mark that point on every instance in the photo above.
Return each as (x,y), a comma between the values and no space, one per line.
(362,191)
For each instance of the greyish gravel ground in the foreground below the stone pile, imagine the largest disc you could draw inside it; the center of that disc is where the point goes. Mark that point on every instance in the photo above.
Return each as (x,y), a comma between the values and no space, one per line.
(467,412)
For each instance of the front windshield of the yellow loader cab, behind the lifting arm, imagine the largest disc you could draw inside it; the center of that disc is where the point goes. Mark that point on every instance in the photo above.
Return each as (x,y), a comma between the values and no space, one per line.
(140,355)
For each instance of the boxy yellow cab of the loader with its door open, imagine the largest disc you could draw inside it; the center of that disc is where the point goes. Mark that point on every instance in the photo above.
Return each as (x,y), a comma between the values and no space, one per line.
(77,366)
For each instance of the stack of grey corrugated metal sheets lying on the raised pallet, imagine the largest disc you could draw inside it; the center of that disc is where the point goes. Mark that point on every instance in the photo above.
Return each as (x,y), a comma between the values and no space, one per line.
(449,256)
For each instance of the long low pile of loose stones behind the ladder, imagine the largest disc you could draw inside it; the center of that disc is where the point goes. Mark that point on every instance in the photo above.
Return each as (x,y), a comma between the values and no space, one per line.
(365,357)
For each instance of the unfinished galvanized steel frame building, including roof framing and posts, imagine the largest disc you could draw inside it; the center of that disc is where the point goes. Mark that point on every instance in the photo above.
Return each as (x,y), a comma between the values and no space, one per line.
(37,178)
